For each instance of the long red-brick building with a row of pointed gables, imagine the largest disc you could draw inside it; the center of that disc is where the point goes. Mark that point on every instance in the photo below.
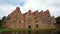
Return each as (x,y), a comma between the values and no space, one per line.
(17,20)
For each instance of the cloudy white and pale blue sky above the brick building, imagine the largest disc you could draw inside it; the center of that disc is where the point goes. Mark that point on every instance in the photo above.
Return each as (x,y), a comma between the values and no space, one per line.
(8,6)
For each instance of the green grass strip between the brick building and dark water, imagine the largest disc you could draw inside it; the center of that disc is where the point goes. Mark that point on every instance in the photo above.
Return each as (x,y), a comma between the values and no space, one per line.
(40,29)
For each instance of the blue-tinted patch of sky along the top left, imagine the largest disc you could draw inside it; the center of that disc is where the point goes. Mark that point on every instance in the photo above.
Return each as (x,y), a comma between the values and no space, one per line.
(13,2)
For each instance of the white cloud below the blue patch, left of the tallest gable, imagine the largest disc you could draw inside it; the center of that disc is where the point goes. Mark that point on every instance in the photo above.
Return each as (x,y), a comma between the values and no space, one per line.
(5,10)
